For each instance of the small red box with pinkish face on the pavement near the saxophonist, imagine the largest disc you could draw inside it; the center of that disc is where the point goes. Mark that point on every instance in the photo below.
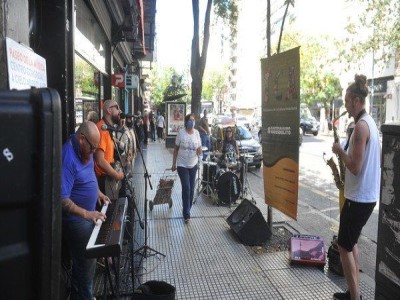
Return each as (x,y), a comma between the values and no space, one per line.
(307,249)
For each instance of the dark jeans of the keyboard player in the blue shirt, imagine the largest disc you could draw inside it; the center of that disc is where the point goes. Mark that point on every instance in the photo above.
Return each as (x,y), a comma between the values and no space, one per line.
(77,235)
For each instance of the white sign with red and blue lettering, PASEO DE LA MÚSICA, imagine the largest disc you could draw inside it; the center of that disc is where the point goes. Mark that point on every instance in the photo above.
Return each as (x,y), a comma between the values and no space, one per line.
(26,69)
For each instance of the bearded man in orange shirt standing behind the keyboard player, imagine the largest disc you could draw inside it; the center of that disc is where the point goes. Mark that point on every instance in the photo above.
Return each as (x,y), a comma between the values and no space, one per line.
(104,154)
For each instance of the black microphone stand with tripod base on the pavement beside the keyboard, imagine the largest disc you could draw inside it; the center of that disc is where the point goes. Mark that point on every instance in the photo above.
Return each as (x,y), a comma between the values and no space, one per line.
(146,249)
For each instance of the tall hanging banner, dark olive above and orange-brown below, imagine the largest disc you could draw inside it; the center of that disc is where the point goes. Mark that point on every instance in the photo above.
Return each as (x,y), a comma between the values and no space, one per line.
(280,76)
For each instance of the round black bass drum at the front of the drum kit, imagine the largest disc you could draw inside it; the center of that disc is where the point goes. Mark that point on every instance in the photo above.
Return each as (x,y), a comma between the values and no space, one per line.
(228,186)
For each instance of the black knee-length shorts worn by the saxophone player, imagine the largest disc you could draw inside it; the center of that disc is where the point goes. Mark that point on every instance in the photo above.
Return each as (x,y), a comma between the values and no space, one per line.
(353,217)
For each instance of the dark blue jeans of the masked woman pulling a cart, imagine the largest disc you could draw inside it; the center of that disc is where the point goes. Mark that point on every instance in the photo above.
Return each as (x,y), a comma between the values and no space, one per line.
(188,178)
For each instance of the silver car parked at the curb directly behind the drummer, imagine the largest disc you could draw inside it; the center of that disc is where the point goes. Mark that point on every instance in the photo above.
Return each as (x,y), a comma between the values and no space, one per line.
(246,143)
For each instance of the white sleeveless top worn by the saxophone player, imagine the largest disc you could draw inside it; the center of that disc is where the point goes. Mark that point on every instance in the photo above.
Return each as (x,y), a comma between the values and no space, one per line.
(365,187)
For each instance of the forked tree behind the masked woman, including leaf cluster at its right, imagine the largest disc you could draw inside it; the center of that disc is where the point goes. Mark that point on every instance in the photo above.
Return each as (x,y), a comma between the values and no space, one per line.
(227,10)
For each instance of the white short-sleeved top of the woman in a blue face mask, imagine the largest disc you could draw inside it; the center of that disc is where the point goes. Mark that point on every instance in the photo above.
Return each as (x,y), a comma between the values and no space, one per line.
(188,144)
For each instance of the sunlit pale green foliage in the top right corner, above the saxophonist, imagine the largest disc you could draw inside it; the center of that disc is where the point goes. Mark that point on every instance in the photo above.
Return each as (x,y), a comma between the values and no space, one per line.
(376,27)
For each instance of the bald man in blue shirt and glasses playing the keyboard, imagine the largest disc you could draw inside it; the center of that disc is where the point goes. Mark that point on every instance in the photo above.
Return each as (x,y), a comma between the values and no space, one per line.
(79,195)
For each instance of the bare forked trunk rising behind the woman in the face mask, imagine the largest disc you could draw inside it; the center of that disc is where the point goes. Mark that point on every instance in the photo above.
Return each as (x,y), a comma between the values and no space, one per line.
(198,60)
